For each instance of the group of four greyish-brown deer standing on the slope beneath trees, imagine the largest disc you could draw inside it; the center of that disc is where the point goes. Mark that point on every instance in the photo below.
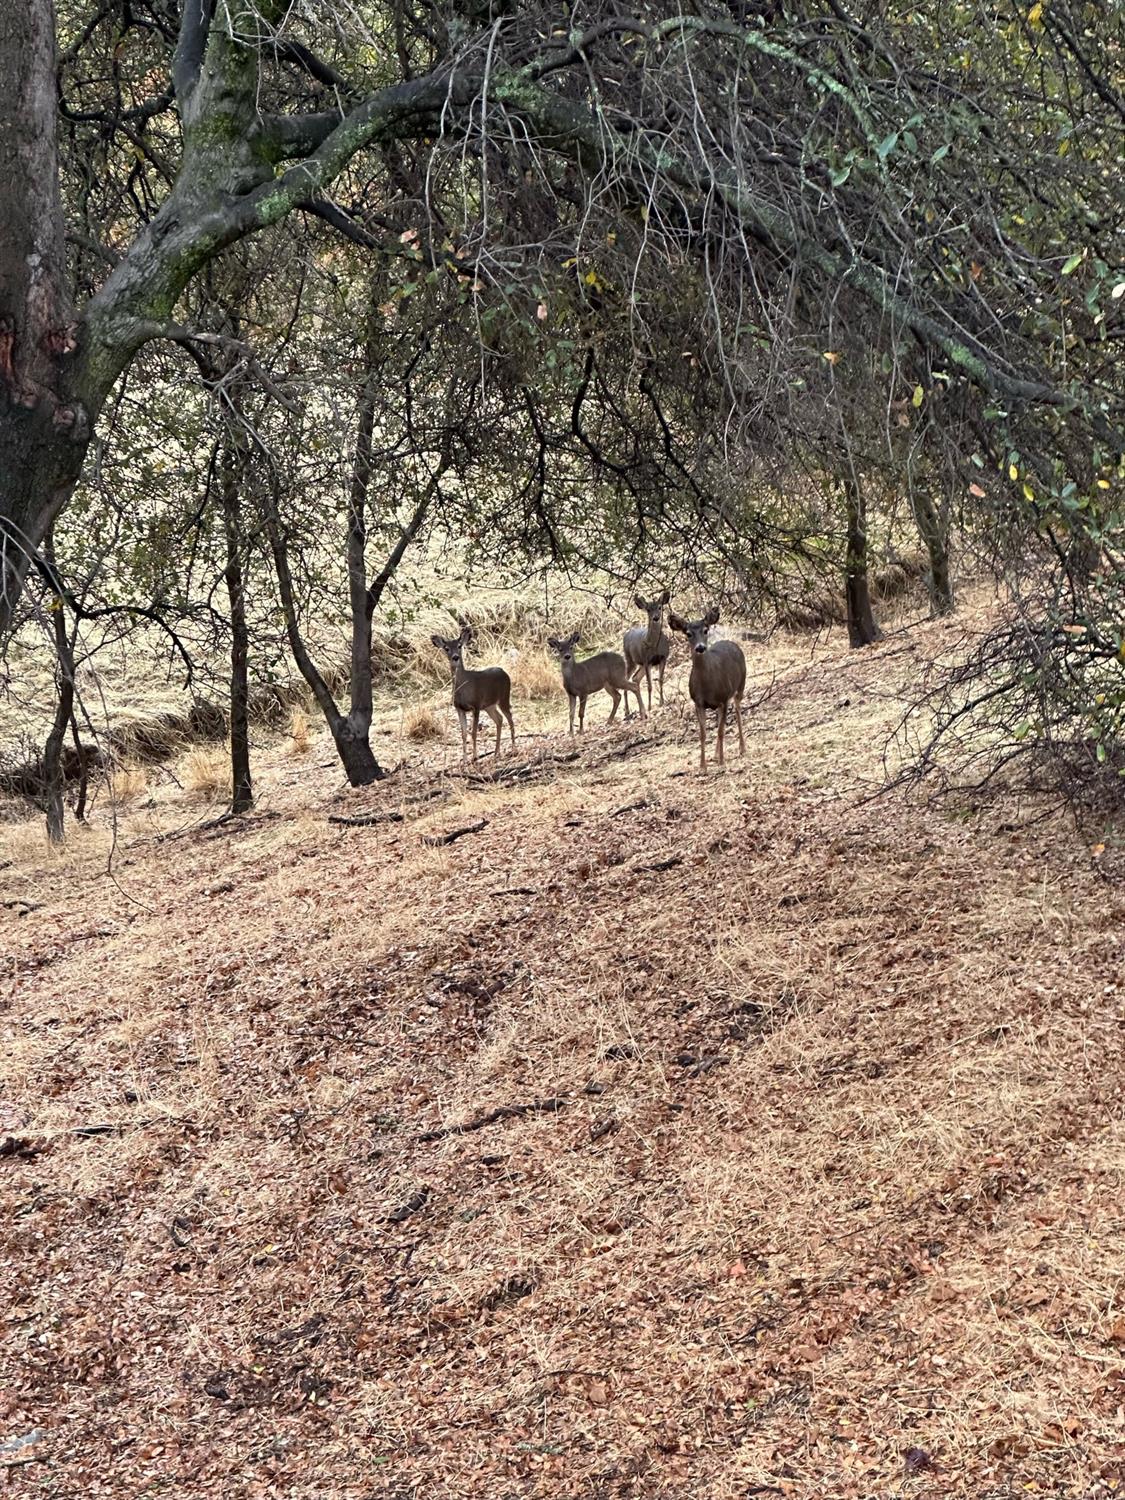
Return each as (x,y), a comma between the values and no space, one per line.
(718,676)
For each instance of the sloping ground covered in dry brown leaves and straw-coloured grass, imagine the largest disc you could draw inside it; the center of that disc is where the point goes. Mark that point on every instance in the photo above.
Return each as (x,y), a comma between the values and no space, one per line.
(662,1138)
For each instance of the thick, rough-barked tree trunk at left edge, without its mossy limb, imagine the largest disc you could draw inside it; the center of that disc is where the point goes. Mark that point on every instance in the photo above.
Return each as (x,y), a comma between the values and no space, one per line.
(44,428)
